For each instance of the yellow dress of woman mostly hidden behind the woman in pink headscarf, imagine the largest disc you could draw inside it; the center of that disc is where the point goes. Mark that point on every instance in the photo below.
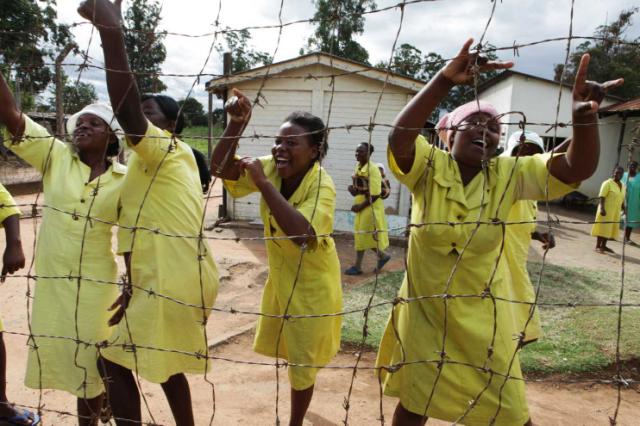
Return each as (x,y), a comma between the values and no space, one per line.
(516,251)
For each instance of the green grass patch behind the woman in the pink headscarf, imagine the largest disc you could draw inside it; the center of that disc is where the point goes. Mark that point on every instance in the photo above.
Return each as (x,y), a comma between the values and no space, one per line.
(575,339)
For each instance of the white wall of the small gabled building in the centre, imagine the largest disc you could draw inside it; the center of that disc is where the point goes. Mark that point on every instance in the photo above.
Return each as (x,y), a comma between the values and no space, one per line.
(354,102)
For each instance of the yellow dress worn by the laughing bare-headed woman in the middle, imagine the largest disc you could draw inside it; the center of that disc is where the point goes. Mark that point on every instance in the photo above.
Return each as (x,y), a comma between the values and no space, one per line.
(308,341)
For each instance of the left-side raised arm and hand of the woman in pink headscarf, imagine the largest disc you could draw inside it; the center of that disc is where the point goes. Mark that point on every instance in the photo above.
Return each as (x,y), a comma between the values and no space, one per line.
(460,70)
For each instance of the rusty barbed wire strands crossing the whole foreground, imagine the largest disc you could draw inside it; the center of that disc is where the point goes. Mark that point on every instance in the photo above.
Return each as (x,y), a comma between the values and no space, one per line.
(442,359)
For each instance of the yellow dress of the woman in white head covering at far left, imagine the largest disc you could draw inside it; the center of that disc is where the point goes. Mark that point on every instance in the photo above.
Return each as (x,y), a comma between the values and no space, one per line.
(70,245)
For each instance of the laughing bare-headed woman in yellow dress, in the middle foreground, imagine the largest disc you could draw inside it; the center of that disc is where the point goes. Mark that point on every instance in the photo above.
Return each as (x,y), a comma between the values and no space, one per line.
(298,200)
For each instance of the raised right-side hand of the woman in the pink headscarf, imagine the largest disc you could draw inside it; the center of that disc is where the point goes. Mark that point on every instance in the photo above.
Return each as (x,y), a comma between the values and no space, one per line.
(587,95)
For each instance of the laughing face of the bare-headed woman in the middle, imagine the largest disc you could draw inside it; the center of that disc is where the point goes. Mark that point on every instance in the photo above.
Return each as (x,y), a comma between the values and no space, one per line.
(293,151)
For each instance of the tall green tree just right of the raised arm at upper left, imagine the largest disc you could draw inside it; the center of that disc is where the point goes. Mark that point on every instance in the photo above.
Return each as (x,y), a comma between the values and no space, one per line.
(144,44)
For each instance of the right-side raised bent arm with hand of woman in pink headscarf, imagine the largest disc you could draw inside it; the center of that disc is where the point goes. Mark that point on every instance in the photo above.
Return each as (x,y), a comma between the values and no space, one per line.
(583,152)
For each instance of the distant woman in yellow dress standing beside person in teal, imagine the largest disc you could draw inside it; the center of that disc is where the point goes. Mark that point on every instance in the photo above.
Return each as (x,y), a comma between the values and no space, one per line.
(611,203)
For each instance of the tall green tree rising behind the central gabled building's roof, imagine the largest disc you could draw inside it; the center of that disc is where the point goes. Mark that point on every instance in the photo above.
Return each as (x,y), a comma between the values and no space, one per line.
(338,21)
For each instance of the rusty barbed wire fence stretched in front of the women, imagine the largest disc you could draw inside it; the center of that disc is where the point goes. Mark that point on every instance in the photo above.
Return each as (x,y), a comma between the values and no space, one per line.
(263,75)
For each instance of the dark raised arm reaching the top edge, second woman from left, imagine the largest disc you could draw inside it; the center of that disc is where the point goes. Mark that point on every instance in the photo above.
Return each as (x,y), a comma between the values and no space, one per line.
(121,84)
